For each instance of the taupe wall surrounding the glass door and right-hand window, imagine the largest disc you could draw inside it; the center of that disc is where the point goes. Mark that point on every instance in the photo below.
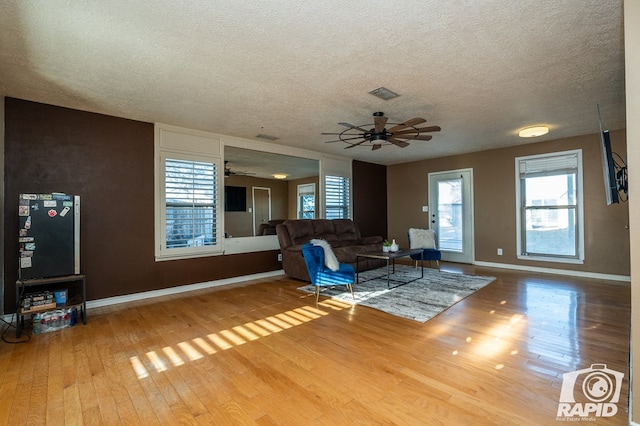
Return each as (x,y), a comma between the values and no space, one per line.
(606,234)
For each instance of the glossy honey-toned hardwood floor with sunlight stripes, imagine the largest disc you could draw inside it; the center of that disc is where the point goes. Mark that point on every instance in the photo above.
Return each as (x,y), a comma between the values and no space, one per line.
(263,353)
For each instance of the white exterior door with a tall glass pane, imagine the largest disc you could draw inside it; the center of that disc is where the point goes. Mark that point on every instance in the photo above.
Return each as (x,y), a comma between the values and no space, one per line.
(451,213)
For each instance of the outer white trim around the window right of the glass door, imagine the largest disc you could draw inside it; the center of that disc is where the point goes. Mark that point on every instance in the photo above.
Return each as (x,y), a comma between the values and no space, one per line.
(580,210)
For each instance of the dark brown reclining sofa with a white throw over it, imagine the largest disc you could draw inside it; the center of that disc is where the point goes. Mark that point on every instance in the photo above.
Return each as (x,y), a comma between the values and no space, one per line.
(343,235)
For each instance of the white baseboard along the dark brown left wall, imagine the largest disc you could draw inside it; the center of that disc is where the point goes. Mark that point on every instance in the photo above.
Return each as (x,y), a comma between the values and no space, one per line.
(180,289)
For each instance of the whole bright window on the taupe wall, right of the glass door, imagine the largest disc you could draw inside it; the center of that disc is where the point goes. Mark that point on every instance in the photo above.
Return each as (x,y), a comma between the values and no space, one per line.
(549,197)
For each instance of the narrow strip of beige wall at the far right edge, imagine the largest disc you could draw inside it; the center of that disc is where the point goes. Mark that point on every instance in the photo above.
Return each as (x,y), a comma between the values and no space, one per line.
(632,73)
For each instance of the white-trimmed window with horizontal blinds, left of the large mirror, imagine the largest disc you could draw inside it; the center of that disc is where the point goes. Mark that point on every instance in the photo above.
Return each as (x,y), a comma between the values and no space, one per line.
(189,203)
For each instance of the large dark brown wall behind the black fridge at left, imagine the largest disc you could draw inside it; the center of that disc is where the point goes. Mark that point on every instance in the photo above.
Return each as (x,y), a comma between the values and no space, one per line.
(108,161)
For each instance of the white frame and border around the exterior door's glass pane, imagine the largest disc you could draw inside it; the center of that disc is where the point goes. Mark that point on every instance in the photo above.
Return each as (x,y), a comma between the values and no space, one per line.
(468,234)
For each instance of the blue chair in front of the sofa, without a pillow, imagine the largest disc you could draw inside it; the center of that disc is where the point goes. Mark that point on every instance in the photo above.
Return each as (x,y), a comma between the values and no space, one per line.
(321,276)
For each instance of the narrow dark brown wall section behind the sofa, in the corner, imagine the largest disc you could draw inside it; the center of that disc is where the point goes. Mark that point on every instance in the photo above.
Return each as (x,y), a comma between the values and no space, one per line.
(370,198)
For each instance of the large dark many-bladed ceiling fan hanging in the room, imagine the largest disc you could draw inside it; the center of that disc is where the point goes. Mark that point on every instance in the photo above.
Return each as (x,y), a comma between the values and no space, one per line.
(399,134)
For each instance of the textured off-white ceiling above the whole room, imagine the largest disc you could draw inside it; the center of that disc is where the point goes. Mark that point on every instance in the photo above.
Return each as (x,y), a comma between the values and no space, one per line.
(481,70)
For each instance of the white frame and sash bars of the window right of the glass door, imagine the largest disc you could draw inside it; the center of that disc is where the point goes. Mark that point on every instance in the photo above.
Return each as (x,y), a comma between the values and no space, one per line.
(521,208)
